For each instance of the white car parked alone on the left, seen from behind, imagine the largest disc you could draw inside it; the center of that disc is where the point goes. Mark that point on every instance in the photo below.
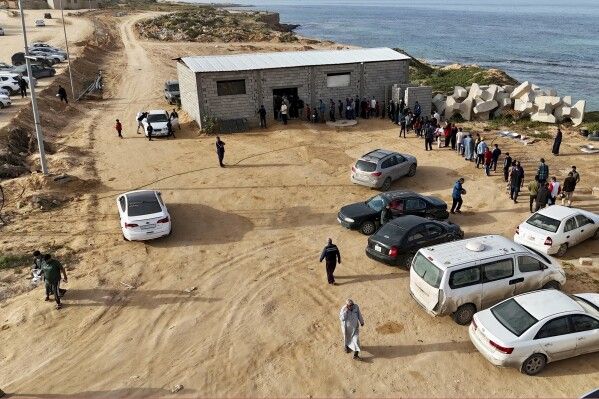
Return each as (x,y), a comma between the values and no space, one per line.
(143,215)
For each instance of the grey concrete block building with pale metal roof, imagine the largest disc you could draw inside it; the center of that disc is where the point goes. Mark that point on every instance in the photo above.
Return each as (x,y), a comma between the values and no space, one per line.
(229,87)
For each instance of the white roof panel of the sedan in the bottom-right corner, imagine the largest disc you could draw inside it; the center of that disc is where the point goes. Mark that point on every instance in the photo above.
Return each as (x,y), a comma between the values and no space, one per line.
(546,303)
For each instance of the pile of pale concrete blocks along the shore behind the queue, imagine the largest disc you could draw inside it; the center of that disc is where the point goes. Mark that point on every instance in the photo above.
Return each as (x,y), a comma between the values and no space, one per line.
(482,102)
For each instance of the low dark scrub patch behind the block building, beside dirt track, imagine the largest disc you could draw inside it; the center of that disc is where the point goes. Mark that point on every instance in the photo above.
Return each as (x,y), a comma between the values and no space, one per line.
(208,24)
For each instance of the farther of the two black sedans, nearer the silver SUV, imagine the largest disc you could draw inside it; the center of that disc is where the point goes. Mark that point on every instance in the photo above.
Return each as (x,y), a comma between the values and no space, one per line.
(366,216)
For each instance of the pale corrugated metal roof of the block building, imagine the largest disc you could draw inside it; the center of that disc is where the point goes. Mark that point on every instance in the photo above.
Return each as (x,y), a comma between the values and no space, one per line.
(289,59)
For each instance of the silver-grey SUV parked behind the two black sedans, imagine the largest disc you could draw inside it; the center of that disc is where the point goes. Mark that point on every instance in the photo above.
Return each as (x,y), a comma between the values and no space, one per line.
(380,168)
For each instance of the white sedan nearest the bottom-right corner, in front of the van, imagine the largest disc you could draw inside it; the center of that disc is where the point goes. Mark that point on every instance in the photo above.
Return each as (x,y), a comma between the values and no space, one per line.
(533,329)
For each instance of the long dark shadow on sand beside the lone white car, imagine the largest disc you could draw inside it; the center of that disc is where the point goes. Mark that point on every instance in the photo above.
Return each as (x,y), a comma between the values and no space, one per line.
(194,224)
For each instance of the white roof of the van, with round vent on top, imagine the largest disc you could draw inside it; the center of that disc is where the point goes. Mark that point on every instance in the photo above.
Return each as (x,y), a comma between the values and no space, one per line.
(455,253)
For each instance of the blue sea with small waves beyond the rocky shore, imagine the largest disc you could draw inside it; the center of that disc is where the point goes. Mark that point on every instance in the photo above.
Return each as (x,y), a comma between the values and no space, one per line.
(551,43)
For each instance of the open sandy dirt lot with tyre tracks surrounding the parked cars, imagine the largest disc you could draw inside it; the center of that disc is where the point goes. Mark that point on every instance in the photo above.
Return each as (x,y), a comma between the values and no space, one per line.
(262,320)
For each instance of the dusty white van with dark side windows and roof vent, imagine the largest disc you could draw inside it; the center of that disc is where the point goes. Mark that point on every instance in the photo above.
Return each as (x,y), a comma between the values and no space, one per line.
(463,277)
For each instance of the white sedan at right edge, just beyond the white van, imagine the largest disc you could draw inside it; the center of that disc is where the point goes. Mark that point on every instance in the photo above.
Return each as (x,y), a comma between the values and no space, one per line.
(554,229)
